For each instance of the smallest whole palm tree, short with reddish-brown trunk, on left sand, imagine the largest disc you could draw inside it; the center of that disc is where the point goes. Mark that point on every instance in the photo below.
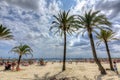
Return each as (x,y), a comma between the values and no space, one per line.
(21,50)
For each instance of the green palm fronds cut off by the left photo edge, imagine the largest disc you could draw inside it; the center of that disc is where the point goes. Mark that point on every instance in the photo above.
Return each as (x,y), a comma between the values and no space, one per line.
(5,33)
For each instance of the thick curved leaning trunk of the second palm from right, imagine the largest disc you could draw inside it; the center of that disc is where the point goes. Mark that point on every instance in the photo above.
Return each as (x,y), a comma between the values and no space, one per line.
(95,55)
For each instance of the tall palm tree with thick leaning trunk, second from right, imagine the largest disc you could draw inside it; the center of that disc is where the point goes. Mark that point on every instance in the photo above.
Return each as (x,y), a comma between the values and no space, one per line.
(91,21)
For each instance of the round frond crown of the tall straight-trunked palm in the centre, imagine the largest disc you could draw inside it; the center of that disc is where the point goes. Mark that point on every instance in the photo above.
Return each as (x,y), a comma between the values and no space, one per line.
(64,22)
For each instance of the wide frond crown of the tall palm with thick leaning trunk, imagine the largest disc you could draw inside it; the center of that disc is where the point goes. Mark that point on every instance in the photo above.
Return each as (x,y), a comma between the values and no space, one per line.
(92,20)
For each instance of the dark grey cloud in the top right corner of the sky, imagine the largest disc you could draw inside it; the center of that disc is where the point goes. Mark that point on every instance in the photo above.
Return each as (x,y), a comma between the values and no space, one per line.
(113,5)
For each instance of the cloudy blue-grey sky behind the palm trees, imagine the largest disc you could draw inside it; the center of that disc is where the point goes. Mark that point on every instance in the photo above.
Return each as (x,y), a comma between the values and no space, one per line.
(30,20)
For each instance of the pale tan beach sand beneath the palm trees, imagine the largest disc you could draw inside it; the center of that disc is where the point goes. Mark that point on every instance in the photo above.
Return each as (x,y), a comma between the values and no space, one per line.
(81,71)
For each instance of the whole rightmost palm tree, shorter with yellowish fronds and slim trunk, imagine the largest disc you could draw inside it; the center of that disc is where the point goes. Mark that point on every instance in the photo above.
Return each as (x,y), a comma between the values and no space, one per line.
(106,36)
